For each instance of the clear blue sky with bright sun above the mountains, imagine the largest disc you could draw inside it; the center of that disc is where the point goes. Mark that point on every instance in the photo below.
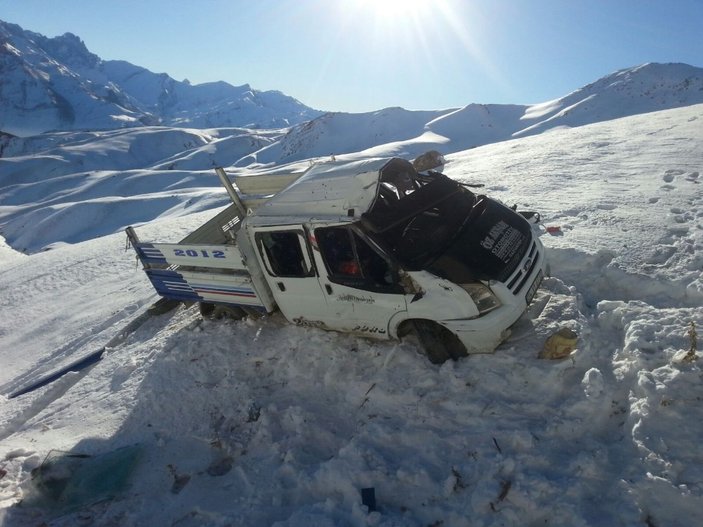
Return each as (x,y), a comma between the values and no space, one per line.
(364,55)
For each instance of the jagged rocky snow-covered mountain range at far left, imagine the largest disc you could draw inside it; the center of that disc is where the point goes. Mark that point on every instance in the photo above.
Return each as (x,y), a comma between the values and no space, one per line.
(57,84)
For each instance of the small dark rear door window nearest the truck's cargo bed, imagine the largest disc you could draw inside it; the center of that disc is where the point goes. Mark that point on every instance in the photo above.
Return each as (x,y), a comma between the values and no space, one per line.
(283,254)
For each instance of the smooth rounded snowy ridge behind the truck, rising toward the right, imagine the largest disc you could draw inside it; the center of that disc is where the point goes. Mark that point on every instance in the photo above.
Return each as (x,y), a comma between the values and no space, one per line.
(646,88)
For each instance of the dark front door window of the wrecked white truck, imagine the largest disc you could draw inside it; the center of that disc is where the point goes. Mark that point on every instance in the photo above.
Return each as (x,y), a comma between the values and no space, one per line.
(351,261)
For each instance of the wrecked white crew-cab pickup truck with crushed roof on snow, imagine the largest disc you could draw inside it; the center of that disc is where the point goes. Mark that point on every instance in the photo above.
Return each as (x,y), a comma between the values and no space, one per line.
(371,247)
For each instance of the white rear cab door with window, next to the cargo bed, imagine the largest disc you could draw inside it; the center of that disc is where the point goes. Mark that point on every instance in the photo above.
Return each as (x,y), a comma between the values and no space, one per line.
(286,258)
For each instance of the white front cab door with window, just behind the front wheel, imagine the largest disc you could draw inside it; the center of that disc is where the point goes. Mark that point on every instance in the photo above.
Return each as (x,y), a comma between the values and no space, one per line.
(358,282)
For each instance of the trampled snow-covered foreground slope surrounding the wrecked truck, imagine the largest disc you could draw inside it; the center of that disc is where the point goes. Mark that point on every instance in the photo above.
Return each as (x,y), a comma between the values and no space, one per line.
(257,422)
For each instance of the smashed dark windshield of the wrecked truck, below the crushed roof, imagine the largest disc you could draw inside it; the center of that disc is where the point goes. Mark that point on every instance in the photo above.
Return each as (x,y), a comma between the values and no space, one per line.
(417,223)
